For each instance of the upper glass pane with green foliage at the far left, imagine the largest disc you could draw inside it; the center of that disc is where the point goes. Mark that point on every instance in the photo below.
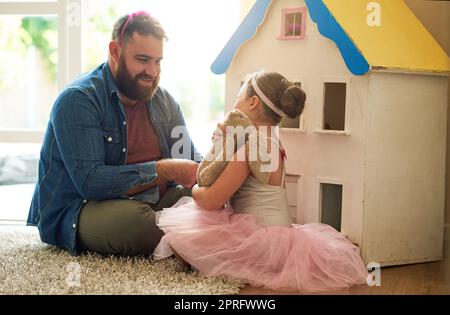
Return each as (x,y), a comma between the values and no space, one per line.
(28,71)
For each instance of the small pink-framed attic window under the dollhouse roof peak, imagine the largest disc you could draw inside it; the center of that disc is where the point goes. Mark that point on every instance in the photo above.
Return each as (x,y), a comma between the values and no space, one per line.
(293,23)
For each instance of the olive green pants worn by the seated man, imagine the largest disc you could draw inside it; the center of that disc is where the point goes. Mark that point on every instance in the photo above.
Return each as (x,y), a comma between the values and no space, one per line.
(123,227)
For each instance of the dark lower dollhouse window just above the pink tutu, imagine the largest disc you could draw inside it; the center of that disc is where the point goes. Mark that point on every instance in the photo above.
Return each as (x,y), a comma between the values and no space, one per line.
(331,205)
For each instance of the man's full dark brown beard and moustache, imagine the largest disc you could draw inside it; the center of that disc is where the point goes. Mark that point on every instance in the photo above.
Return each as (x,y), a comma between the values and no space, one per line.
(129,86)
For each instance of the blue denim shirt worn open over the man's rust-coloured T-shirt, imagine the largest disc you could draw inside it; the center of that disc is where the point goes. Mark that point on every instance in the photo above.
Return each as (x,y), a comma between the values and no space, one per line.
(84,154)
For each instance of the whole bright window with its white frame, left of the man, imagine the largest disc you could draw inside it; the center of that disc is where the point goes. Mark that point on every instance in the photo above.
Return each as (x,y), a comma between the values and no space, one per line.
(40,53)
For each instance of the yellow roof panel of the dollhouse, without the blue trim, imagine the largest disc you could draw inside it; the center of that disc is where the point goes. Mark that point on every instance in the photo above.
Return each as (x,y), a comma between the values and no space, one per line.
(400,42)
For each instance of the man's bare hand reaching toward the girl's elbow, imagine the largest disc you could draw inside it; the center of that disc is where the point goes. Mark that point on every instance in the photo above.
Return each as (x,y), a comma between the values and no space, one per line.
(184,172)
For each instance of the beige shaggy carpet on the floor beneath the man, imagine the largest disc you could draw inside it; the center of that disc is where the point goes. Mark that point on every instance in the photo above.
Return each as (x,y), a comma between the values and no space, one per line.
(31,267)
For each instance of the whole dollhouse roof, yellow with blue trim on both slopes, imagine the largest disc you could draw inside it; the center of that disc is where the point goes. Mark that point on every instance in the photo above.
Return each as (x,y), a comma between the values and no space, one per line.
(400,43)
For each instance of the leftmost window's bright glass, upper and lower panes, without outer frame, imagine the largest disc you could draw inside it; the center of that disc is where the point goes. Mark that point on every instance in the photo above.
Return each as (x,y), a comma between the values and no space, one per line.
(28,87)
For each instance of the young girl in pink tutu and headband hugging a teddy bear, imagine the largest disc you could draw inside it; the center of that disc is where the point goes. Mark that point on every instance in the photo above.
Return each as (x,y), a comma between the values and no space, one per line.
(252,238)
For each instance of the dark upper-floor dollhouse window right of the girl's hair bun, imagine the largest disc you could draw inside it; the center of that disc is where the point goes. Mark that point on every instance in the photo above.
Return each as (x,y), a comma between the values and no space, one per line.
(335,95)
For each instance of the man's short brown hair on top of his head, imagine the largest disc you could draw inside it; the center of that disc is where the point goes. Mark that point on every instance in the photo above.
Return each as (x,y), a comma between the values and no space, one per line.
(142,24)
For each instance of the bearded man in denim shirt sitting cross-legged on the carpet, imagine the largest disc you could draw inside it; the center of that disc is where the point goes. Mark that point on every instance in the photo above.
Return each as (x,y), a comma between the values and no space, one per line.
(106,164)
